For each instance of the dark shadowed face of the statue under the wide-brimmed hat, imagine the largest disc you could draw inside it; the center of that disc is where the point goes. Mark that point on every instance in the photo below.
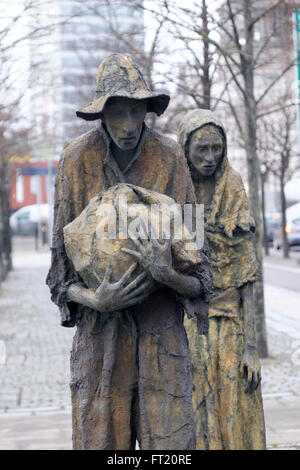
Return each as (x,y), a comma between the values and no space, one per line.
(124,119)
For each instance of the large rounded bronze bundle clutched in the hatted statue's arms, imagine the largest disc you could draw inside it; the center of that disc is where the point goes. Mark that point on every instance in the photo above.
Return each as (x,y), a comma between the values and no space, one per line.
(95,238)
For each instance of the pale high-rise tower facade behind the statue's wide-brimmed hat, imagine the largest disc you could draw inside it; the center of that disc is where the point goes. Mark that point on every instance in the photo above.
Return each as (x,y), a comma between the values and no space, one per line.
(89,33)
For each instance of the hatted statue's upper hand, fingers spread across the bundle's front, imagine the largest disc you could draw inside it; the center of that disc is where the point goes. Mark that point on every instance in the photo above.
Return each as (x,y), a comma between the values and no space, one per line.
(155,257)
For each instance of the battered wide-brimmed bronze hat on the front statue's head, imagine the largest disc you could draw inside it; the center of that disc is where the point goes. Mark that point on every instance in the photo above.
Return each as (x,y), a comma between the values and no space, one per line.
(119,76)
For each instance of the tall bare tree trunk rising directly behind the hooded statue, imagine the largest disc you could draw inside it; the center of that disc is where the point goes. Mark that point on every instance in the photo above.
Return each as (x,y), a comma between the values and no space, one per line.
(253,167)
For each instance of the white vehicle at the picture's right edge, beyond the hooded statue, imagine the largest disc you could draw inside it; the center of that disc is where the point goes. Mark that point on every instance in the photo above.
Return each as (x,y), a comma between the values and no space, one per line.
(292,228)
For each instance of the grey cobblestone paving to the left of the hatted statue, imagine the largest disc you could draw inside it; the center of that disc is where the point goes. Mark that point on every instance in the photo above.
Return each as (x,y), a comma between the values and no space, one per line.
(35,363)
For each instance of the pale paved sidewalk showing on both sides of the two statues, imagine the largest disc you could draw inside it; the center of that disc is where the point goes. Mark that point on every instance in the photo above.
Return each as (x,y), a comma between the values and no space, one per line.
(35,396)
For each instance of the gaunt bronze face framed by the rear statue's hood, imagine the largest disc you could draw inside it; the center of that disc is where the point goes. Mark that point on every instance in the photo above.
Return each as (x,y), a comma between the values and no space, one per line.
(206,149)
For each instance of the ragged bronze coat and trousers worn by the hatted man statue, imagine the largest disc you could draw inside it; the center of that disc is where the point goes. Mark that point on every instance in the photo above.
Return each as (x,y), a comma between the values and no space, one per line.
(130,370)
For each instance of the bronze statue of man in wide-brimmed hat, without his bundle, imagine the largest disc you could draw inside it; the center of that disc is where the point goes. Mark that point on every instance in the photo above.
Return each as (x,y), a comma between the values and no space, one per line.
(130,365)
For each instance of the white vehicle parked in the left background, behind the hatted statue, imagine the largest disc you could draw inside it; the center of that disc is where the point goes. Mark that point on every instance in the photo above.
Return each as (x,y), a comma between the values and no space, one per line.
(25,220)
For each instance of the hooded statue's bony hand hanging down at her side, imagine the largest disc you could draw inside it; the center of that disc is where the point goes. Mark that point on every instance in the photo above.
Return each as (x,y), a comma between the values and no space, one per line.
(250,368)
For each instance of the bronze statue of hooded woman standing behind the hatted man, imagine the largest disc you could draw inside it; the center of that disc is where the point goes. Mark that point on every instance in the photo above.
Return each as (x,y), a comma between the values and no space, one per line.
(226,370)
